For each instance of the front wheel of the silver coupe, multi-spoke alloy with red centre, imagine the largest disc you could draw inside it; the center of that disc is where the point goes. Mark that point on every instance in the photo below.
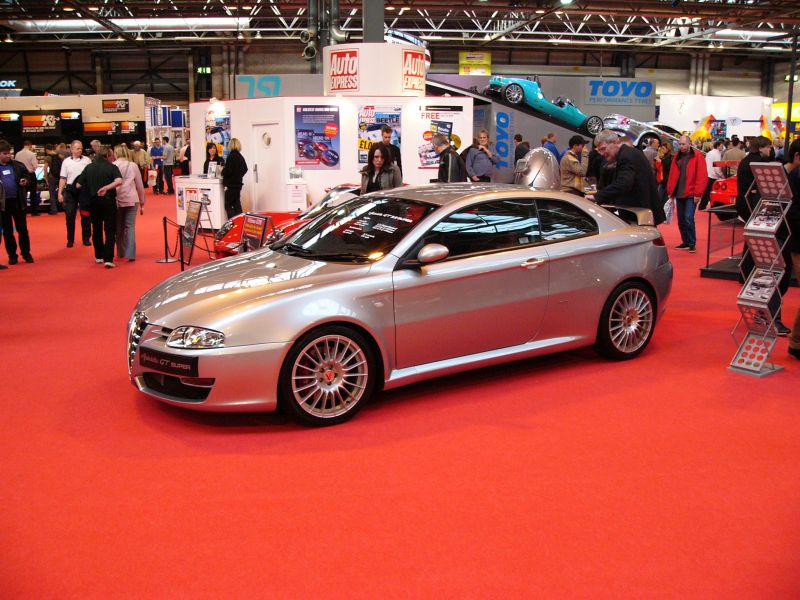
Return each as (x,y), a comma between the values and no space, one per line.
(327,376)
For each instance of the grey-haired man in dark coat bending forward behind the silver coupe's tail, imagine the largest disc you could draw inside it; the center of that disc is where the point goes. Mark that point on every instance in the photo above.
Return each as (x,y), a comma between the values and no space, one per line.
(634,181)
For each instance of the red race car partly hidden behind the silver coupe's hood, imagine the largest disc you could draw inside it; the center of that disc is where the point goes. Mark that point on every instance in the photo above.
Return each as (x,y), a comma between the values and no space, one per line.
(227,240)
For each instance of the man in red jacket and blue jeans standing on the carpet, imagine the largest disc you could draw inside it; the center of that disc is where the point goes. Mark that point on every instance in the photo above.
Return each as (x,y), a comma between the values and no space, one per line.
(687,182)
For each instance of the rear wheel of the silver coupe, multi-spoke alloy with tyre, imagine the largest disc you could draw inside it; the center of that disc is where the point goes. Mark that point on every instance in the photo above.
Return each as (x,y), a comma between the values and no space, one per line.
(627,322)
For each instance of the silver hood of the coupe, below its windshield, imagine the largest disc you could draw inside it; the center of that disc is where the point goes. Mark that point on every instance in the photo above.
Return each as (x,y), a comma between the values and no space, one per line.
(211,295)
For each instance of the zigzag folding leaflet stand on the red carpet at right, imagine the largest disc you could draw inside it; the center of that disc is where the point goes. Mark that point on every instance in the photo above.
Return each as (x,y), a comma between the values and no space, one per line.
(760,300)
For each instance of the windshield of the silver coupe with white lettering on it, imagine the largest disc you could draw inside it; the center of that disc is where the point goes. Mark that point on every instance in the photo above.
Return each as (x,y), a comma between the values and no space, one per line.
(361,230)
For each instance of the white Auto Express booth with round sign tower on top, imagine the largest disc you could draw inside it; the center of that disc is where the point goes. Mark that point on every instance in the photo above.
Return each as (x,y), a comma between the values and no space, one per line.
(319,142)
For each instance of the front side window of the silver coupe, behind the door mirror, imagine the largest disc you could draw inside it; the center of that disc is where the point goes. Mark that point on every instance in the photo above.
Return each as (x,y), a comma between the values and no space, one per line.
(487,227)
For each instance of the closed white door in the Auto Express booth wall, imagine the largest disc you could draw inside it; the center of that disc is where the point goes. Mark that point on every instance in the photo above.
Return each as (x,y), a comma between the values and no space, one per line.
(267,189)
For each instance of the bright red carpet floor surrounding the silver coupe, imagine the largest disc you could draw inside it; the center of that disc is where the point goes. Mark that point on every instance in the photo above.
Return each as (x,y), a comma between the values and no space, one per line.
(569,476)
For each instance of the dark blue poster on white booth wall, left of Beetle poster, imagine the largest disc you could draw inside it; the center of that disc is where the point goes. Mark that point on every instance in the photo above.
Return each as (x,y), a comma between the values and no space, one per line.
(317,140)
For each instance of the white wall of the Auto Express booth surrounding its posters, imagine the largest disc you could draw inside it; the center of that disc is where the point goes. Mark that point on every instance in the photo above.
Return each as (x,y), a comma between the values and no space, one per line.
(252,119)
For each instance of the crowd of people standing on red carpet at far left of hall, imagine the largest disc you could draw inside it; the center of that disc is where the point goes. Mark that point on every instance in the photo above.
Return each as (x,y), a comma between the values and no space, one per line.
(103,186)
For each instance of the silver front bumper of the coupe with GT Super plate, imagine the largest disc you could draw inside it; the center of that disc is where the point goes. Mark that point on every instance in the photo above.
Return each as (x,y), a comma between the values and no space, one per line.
(236,379)
